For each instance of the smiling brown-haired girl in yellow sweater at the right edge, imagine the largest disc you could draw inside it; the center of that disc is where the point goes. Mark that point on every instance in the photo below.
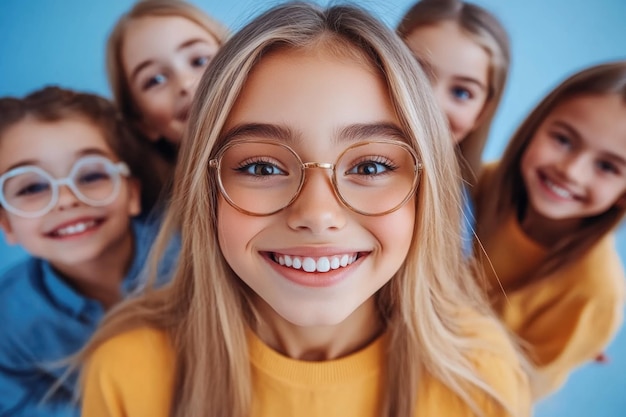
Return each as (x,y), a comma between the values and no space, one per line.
(545,215)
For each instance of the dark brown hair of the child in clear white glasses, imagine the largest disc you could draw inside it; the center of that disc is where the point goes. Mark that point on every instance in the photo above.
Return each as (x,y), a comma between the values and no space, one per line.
(51,104)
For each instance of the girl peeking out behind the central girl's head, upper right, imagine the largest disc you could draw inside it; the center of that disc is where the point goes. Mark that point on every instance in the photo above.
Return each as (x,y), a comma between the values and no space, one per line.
(466,52)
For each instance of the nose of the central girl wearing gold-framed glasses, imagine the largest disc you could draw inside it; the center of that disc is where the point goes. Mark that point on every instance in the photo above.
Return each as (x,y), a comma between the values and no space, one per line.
(317,208)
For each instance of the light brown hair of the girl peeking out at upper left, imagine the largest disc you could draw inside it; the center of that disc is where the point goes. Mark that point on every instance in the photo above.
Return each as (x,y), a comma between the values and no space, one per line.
(117,78)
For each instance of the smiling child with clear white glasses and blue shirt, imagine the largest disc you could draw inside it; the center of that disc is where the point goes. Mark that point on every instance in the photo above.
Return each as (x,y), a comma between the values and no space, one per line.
(69,191)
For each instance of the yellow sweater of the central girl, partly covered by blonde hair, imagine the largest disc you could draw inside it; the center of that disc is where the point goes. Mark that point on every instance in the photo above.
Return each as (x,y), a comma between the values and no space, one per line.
(131,375)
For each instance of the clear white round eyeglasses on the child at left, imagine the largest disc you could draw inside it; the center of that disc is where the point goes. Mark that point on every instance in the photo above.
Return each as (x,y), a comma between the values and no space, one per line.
(29,191)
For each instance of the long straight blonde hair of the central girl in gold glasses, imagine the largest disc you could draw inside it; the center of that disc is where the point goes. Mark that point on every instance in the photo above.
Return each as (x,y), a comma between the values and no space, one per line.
(206,310)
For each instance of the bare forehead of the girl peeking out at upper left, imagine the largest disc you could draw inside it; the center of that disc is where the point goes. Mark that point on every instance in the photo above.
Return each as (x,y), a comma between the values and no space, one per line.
(152,37)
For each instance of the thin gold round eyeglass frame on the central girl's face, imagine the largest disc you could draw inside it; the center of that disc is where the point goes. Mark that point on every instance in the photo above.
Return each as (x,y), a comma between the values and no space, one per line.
(215,163)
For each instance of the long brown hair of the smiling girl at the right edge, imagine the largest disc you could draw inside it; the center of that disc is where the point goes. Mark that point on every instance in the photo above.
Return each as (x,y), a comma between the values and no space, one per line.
(507,193)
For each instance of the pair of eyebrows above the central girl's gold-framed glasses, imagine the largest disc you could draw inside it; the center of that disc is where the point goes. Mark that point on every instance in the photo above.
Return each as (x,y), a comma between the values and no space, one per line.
(352,133)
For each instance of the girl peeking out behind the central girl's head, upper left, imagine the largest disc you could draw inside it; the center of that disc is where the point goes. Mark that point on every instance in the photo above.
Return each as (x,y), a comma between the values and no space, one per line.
(155,54)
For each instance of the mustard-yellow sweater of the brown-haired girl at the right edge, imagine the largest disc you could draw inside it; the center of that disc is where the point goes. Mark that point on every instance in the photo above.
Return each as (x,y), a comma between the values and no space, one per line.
(565,318)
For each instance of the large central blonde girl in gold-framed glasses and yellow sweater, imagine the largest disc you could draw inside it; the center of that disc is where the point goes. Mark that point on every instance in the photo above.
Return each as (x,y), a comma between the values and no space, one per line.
(309,287)
